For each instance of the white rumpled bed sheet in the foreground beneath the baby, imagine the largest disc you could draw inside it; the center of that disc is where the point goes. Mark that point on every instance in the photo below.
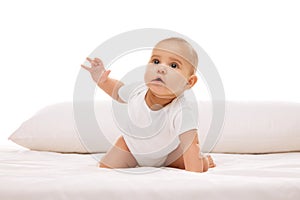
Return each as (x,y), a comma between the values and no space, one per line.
(34,175)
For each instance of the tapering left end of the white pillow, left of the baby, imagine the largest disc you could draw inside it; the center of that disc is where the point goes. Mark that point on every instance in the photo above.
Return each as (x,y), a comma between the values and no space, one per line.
(54,129)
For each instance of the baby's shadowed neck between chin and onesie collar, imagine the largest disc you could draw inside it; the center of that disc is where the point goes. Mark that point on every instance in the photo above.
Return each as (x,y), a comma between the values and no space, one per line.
(155,102)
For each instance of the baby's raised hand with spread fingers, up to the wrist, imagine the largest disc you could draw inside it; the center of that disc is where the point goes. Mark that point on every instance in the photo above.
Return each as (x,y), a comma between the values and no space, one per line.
(97,71)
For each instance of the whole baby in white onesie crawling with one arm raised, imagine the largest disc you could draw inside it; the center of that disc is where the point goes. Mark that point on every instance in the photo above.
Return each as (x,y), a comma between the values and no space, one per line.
(160,102)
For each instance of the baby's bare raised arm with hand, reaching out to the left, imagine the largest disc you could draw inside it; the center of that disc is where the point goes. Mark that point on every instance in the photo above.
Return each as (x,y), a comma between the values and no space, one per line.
(100,76)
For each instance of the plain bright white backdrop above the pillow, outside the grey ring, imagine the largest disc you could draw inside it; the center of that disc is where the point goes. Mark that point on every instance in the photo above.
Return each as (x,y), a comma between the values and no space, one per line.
(255,46)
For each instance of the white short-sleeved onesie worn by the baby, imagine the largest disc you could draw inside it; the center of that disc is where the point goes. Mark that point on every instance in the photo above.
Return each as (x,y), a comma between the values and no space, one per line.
(152,135)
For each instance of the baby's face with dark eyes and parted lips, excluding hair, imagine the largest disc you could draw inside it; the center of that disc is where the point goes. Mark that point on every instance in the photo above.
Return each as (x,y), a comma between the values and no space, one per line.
(168,73)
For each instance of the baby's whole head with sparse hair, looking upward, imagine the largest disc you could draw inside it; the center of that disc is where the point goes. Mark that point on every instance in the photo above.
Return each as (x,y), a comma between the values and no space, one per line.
(171,69)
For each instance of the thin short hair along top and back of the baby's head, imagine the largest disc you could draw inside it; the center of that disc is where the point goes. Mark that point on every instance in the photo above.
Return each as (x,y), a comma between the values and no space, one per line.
(194,56)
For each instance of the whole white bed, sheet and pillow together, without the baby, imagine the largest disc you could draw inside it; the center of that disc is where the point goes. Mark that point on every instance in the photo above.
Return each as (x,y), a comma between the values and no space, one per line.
(29,169)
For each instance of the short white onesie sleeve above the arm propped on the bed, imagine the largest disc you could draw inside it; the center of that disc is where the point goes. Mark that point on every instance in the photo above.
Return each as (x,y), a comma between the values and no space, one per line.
(185,119)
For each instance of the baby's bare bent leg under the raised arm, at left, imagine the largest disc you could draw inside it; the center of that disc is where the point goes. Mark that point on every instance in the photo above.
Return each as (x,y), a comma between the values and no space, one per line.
(119,156)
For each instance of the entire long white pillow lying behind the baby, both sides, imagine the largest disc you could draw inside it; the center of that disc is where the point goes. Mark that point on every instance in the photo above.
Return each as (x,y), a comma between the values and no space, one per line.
(249,127)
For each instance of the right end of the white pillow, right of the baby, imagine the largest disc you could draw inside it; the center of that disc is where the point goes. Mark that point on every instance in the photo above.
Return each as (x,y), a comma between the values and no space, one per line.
(256,127)
